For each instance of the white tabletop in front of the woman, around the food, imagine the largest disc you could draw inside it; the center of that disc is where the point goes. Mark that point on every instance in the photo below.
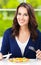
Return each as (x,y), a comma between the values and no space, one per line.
(30,62)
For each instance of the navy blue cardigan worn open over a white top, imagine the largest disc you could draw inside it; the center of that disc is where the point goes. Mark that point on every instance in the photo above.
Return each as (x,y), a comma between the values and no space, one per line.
(9,45)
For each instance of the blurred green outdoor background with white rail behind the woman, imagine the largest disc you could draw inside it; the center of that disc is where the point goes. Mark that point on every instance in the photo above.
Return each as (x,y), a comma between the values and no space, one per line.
(7,12)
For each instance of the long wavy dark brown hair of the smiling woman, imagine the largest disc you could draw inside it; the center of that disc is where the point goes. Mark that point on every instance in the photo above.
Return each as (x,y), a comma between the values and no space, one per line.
(32,25)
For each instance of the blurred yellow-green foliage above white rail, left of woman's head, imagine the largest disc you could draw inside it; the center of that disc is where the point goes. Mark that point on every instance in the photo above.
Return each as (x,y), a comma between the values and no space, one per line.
(9,3)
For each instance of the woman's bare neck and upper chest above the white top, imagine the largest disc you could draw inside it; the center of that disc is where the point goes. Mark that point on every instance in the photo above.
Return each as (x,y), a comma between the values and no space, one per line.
(24,34)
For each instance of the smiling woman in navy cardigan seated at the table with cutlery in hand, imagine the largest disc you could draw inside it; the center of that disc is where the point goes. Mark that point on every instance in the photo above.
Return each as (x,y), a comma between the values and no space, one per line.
(22,35)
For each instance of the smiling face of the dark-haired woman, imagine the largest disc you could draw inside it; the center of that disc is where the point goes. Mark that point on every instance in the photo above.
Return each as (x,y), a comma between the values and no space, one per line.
(22,16)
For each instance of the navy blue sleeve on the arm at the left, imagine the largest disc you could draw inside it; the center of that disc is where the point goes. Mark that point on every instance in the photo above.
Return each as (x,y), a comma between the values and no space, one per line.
(5,44)
